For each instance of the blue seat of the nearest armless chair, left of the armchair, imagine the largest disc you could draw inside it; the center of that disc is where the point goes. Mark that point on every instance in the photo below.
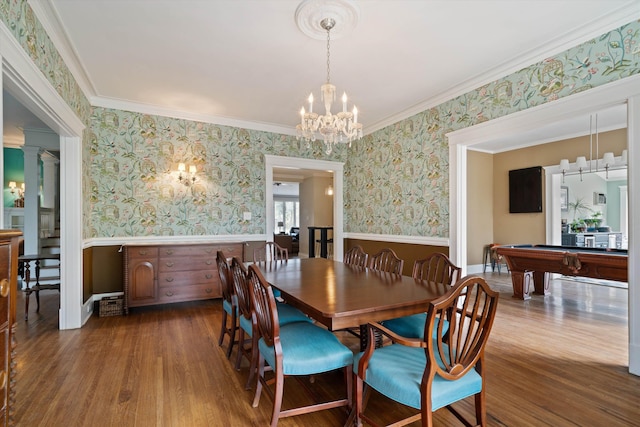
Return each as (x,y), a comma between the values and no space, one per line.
(307,349)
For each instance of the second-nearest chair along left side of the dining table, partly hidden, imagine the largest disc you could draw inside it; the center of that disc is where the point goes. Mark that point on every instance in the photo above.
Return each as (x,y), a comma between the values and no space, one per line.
(247,341)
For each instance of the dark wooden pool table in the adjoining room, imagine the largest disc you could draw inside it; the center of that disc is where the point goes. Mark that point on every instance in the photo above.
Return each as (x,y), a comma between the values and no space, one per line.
(531,265)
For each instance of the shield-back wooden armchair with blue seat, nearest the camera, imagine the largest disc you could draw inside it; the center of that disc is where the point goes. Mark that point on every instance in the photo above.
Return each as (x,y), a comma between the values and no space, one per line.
(428,374)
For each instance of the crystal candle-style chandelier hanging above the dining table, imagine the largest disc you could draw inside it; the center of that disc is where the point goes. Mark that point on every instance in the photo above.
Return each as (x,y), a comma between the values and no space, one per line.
(342,127)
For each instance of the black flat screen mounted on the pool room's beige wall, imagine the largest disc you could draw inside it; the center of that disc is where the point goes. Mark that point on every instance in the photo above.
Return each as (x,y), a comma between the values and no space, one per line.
(525,190)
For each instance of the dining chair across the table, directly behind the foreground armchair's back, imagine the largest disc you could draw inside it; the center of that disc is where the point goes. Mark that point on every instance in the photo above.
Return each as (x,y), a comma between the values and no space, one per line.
(436,268)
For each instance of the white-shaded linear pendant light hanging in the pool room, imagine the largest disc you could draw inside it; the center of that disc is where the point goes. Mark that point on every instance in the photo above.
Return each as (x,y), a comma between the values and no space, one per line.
(608,162)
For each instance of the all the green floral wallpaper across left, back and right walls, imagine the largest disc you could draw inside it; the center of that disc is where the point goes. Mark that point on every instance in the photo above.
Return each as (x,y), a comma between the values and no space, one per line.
(396,179)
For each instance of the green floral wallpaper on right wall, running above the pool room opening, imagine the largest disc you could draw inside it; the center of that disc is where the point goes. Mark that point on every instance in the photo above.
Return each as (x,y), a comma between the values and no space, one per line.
(397,178)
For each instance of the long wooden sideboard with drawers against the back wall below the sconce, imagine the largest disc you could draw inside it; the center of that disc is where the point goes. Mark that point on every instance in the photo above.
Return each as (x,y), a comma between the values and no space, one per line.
(163,274)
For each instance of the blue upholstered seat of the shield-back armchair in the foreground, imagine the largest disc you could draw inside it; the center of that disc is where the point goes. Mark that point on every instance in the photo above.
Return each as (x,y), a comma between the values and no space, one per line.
(401,381)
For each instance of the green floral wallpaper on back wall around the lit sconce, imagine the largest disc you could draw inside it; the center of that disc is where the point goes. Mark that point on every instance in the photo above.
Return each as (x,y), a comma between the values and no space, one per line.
(134,186)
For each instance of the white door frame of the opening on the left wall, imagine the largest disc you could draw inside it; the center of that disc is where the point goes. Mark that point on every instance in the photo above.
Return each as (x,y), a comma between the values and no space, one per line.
(22,78)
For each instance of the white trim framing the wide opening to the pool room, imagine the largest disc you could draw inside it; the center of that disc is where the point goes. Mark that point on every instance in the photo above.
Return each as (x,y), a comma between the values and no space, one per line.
(626,90)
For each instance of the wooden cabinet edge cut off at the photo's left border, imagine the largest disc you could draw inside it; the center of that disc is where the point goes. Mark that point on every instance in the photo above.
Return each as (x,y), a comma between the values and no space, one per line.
(9,248)
